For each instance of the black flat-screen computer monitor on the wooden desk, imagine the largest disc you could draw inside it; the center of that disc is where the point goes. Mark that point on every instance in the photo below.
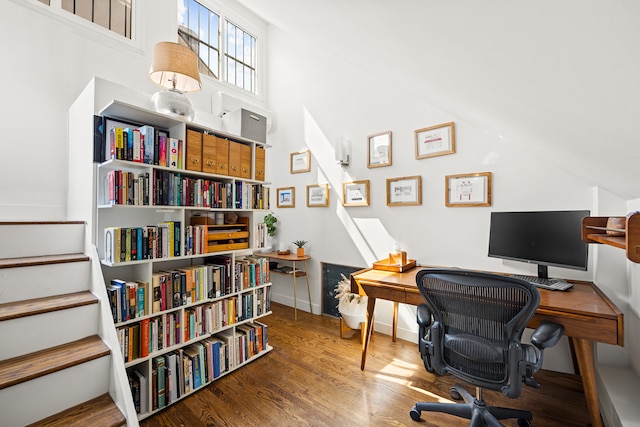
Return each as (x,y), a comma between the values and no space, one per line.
(546,238)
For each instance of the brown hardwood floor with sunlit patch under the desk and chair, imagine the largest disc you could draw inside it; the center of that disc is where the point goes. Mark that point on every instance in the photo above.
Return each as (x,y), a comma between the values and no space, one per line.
(313,378)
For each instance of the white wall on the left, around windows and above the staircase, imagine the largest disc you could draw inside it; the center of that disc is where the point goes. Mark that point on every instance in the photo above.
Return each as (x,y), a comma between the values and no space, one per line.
(48,58)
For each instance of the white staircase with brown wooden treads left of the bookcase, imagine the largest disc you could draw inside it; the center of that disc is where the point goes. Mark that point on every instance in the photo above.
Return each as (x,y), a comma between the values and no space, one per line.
(55,369)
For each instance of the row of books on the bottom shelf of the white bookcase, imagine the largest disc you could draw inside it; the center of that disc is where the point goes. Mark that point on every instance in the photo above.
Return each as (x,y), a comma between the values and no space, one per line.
(182,371)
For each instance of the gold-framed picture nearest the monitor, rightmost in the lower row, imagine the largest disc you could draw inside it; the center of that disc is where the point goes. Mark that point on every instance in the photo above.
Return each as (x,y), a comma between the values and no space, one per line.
(472,189)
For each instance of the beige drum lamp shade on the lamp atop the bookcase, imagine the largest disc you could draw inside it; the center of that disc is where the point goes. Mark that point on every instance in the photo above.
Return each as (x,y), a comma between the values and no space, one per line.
(175,67)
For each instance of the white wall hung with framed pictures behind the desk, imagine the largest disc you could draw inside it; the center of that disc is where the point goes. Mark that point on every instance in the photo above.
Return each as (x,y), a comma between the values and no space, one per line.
(317,97)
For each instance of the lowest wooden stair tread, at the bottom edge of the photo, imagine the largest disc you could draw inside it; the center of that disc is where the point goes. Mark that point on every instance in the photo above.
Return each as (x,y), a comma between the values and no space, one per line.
(98,412)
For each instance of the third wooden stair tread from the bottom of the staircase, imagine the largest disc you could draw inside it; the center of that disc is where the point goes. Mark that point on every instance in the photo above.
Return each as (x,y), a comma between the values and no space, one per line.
(15,310)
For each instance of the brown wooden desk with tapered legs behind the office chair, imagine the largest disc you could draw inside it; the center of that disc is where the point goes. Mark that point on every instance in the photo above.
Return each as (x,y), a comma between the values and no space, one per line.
(586,313)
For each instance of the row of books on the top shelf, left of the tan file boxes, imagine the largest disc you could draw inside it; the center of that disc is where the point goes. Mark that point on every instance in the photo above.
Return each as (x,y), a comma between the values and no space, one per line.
(144,144)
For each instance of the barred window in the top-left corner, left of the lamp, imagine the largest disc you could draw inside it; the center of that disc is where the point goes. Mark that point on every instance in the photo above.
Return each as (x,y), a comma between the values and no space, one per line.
(114,15)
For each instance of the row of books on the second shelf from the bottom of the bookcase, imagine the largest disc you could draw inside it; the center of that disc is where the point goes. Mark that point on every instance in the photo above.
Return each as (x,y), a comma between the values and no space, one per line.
(153,334)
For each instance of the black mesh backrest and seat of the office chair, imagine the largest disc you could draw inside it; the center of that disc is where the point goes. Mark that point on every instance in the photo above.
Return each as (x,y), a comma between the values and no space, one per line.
(478,316)
